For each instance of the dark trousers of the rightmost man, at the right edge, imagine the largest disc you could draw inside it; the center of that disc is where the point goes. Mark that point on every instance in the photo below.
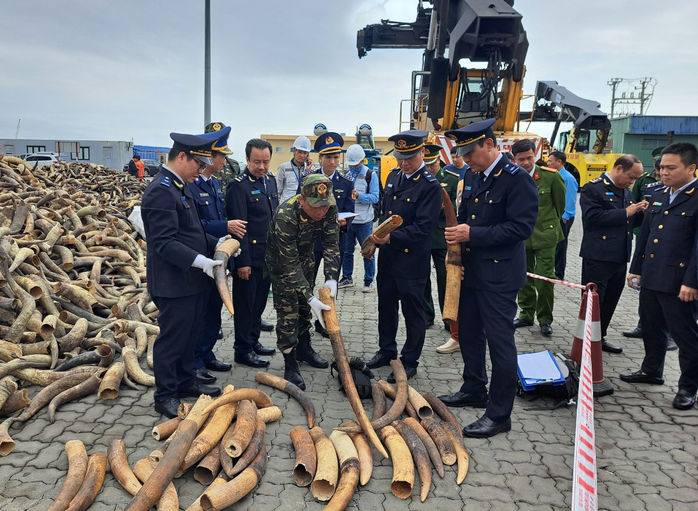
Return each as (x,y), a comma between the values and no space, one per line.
(661,312)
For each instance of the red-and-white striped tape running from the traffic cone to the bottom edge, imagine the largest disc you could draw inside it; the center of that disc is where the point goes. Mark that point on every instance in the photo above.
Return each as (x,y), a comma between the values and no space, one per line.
(584,496)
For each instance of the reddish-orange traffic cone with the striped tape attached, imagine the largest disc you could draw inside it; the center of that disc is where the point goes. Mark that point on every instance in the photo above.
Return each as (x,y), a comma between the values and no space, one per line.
(601,386)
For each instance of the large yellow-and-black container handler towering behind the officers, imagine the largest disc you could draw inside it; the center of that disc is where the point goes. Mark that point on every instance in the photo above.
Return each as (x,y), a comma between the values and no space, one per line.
(445,95)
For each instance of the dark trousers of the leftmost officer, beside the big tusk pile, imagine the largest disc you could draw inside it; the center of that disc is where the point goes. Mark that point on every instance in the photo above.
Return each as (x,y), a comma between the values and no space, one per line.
(180,322)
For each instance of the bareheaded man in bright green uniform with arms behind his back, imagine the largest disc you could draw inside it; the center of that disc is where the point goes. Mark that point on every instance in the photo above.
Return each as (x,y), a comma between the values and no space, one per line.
(537,296)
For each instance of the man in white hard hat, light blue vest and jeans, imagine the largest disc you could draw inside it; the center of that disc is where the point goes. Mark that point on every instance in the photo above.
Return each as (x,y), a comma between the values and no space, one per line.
(365,194)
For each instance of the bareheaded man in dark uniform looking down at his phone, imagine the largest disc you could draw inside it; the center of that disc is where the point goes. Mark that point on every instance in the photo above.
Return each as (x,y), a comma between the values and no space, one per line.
(609,215)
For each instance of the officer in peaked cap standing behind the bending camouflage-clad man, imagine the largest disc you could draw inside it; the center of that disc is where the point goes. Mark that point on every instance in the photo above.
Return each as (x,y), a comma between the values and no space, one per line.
(329,147)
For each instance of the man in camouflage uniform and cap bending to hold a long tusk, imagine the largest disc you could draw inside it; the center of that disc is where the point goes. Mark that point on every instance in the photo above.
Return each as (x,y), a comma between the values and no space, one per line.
(289,260)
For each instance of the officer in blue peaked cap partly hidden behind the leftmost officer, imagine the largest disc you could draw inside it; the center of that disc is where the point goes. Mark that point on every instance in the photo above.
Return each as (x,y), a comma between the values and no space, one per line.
(211,207)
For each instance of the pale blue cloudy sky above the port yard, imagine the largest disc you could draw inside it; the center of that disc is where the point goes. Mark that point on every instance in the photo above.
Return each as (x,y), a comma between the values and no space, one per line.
(133,70)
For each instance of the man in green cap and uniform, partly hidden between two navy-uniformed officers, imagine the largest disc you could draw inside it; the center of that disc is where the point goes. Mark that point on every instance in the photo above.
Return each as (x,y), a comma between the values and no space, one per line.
(449,182)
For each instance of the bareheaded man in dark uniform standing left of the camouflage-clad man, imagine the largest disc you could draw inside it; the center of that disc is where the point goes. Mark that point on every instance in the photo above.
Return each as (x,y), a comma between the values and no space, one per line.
(252,197)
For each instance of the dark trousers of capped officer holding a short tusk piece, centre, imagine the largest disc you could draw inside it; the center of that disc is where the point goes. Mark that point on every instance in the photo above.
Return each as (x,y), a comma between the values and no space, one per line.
(395,292)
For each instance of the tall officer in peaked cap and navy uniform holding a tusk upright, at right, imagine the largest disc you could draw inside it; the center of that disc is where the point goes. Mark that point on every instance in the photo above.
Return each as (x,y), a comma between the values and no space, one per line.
(497,213)
